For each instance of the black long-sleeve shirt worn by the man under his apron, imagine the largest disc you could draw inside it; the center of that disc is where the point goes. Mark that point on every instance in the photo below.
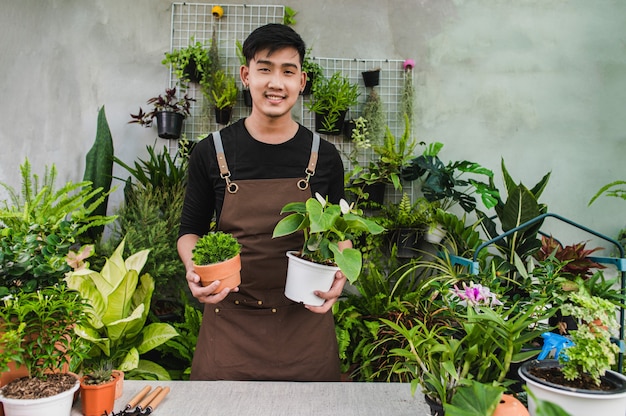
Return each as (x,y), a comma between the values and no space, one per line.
(248,158)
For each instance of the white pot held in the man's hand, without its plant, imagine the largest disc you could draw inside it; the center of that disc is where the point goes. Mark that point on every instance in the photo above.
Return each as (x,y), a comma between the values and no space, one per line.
(305,277)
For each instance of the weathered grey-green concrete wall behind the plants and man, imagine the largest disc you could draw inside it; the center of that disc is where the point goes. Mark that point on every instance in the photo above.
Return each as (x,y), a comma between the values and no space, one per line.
(539,83)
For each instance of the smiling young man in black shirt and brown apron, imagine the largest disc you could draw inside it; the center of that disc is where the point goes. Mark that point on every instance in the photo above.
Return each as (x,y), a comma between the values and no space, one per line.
(254,332)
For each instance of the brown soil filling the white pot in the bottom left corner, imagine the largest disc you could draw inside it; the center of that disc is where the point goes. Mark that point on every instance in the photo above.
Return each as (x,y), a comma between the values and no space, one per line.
(35,388)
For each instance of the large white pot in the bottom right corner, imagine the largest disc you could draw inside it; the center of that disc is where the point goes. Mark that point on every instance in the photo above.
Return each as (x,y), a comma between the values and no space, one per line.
(576,402)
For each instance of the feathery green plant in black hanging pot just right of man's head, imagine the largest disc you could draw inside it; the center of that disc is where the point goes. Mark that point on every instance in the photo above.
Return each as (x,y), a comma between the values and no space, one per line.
(331,99)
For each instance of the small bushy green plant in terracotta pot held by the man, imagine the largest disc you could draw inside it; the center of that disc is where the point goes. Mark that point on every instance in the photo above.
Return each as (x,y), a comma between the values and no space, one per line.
(216,256)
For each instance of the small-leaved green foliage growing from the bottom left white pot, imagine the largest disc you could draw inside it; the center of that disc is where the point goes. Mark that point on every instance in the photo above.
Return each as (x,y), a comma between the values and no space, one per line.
(44,321)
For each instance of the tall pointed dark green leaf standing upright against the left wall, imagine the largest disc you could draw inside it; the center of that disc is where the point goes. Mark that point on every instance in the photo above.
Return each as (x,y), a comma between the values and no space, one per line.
(99,167)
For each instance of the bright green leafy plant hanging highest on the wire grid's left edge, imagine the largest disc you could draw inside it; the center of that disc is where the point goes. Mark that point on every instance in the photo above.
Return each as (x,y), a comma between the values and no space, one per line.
(189,64)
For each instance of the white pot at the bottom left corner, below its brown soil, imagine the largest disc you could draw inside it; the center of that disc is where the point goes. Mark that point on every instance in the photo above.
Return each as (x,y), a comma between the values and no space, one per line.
(57,405)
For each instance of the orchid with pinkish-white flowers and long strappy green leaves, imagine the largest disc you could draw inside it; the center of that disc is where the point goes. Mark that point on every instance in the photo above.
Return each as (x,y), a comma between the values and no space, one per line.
(464,332)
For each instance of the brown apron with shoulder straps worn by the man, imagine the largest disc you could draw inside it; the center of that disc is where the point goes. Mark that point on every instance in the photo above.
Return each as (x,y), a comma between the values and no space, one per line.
(257,333)
